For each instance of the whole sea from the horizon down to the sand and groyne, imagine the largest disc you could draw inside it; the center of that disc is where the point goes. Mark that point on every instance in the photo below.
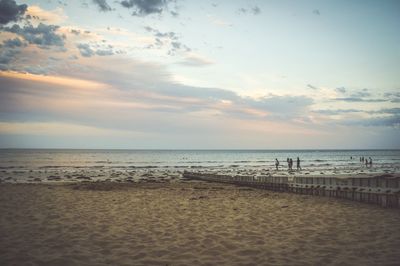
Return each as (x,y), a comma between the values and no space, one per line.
(35,165)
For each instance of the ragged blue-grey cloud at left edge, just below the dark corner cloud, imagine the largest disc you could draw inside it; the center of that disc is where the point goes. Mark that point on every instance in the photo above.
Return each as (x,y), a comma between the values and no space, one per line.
(43,35)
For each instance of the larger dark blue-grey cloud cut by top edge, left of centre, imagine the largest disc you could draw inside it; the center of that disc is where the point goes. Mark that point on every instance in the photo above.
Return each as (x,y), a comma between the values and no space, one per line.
(145,7)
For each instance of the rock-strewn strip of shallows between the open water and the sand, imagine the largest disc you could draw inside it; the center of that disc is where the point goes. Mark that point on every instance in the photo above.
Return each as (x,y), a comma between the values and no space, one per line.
(172,175)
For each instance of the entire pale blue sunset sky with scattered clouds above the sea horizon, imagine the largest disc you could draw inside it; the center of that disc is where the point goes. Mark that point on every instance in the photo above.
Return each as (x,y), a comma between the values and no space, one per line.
(181,74)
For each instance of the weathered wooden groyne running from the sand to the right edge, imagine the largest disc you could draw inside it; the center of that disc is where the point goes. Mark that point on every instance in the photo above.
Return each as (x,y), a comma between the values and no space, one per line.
(382,190)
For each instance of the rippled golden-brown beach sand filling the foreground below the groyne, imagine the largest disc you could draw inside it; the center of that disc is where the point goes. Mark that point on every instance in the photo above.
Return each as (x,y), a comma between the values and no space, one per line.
(189,223)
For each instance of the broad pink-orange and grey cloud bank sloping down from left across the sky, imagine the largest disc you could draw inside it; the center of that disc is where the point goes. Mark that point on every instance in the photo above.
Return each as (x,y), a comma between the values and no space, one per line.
(143,96)
